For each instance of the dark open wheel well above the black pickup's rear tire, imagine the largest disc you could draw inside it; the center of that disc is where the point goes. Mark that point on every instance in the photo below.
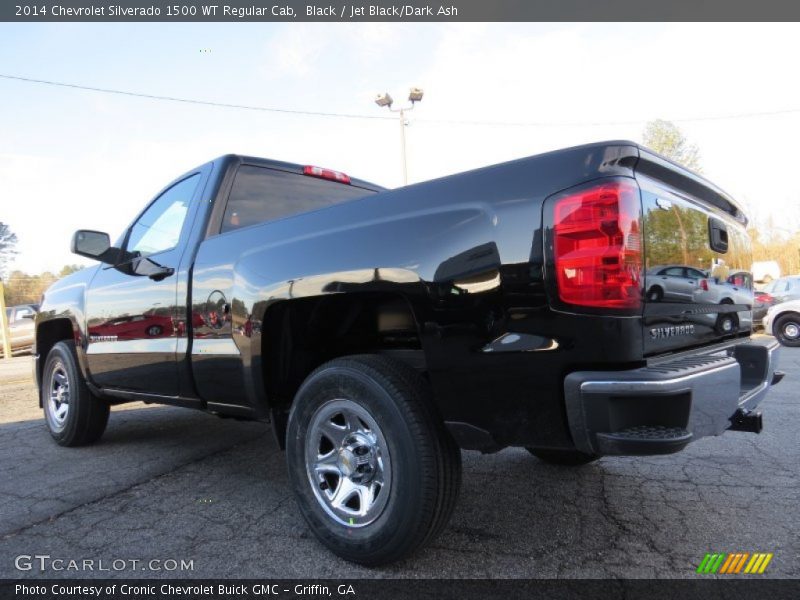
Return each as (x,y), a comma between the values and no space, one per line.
(300,335)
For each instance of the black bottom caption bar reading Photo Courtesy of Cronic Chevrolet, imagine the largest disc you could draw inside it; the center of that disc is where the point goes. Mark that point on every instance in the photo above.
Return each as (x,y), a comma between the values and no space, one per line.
(699,588)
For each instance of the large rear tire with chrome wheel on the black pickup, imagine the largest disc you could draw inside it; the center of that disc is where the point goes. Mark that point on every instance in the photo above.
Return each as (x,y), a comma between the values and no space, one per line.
(390,402)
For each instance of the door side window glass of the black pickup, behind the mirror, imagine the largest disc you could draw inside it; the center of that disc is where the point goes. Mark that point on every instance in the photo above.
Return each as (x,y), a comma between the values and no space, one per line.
(159,228)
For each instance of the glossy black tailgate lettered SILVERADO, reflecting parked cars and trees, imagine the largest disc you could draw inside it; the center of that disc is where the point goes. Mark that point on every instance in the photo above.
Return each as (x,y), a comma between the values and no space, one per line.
(697,282)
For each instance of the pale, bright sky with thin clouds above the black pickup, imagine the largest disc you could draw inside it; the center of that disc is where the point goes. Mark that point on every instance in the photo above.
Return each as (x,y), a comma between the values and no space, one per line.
(73,159)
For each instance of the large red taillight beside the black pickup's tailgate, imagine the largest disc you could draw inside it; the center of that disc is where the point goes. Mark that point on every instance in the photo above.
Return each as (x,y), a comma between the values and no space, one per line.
(597,244)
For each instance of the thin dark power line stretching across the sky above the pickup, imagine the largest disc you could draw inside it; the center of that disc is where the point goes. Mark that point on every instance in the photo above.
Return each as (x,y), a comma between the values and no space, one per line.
(733,116)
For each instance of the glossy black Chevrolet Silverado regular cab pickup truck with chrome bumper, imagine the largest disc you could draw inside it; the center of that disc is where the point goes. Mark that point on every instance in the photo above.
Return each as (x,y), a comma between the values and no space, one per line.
(571,303)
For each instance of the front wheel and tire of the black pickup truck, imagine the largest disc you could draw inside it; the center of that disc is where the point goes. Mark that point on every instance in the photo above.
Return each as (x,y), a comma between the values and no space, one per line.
(73,415)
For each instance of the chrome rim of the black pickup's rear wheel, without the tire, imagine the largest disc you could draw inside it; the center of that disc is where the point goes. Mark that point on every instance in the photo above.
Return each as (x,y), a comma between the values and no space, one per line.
(348,463)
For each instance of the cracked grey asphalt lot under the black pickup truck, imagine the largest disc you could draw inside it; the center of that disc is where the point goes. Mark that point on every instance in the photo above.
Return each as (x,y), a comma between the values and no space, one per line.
(169,483)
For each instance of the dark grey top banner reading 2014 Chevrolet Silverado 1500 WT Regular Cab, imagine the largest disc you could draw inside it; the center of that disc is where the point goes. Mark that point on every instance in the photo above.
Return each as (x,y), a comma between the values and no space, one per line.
(401,11)
